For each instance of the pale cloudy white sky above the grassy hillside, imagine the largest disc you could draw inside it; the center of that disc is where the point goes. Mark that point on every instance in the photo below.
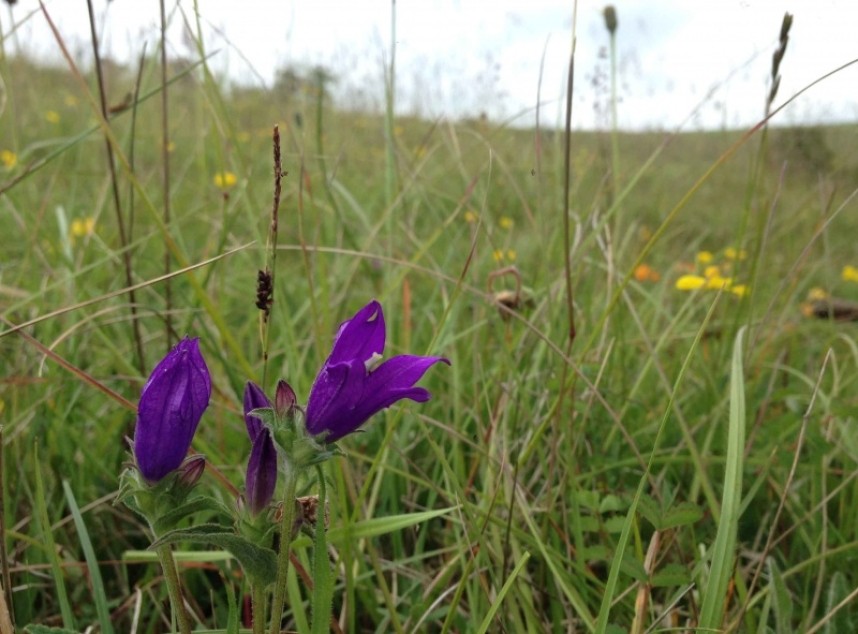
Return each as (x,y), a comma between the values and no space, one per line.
(681,64)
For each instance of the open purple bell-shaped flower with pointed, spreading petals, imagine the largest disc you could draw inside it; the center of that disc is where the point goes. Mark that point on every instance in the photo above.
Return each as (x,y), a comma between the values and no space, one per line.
(352,386)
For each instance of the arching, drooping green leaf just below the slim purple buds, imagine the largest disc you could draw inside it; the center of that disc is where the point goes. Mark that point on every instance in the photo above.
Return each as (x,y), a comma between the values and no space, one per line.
(259,564)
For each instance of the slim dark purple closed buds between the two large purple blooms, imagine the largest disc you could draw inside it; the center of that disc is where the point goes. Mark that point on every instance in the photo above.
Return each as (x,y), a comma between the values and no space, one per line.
(261,477)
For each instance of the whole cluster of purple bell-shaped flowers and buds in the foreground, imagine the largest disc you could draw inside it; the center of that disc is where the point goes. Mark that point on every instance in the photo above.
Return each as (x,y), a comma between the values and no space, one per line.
(353,385)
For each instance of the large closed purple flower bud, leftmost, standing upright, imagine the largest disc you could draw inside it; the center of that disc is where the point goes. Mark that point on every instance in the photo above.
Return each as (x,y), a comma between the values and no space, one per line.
(171,405)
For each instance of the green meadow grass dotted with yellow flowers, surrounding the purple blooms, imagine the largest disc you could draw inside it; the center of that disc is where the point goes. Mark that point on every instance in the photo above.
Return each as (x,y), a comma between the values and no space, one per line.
(687,462)
